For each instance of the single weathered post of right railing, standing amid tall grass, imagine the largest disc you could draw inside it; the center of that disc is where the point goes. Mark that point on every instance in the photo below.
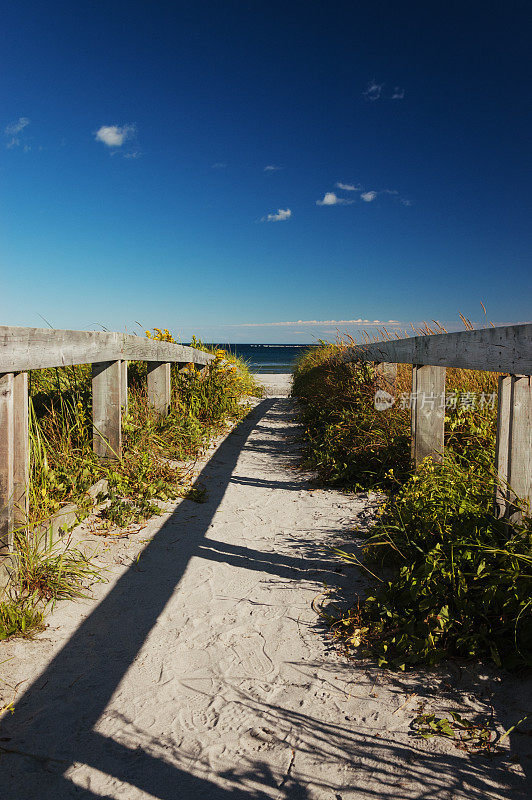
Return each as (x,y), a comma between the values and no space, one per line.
(428,413)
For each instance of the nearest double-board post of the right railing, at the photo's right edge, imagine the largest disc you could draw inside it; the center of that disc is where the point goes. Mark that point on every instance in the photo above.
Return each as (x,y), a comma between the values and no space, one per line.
(514,445)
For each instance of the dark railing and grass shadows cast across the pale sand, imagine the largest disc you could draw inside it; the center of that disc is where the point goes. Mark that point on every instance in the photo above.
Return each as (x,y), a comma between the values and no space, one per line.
(50,732)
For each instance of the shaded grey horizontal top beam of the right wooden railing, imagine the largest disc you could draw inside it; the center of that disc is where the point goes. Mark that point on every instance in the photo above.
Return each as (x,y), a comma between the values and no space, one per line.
(504,349)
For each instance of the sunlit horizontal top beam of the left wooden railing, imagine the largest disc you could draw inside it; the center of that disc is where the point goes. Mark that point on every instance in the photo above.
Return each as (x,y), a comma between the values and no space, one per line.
(37,348)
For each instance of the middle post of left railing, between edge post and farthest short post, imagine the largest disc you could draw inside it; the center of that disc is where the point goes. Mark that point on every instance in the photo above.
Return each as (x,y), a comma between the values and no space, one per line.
(106,409)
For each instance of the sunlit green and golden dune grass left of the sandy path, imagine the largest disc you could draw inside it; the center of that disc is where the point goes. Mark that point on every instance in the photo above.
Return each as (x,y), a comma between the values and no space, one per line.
(155,466)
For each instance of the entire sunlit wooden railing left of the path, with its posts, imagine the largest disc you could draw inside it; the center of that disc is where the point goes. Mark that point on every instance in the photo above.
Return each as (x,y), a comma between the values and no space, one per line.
(23,349)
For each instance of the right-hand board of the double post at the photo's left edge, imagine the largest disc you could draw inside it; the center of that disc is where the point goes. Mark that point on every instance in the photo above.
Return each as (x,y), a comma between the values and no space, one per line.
(21,449)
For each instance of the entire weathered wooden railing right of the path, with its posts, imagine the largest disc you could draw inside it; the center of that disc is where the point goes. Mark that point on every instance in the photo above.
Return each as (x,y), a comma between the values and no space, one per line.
(504,350)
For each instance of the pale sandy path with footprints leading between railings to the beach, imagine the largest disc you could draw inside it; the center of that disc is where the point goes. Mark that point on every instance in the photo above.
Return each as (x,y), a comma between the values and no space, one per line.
(199,670)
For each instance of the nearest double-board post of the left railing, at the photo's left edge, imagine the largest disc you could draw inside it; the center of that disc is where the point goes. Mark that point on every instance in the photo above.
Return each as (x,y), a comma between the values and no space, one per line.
(14,455)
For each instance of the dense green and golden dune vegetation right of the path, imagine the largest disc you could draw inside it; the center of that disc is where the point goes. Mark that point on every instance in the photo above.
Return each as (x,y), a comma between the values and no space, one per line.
(449,578)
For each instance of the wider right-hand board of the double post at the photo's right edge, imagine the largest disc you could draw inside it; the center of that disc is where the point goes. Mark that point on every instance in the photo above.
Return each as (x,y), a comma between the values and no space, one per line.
(520,445)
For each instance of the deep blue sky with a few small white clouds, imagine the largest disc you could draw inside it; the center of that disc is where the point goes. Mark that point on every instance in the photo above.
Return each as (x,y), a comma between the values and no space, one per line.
(265,171)
